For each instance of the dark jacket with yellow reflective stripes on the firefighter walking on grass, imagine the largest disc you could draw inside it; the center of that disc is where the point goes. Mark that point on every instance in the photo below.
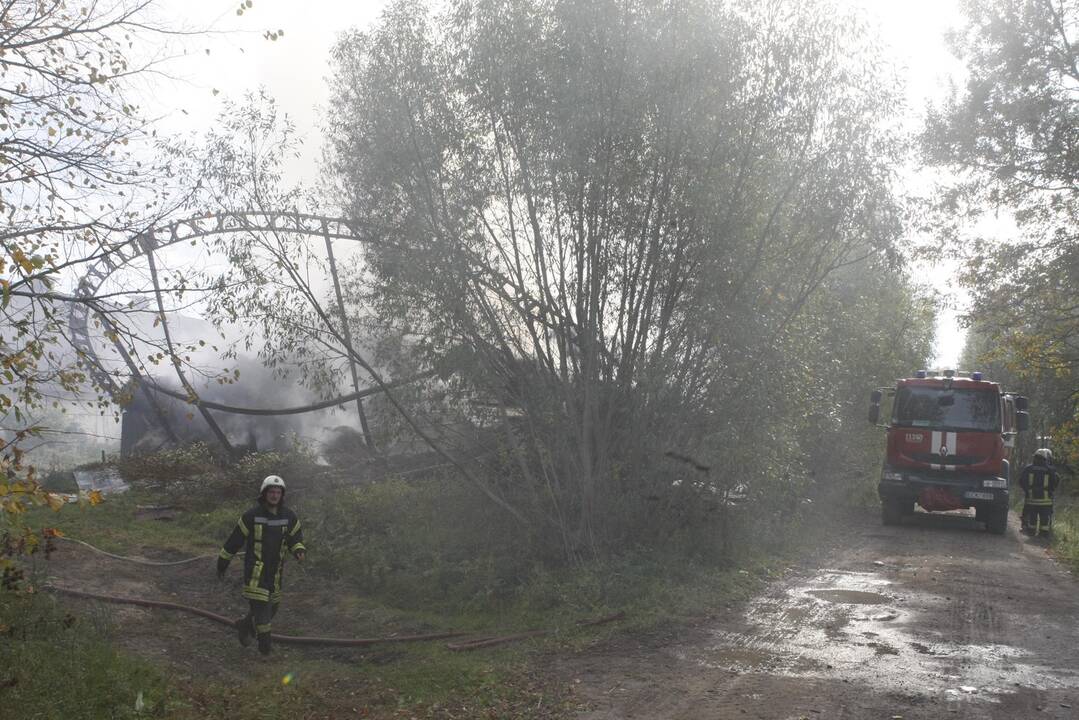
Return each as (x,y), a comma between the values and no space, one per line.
(265,535)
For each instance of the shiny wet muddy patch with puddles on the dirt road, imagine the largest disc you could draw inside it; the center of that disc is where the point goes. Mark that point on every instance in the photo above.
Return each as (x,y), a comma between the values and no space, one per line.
(841,626)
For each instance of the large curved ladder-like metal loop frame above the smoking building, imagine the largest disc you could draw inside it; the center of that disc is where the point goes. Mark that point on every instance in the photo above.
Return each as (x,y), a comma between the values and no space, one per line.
(330,228)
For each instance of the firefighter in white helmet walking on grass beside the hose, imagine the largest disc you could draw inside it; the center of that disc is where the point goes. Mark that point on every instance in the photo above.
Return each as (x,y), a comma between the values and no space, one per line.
(267,533)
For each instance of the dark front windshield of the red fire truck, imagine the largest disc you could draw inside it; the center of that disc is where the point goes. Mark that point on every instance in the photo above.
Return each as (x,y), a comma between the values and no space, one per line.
(944,409)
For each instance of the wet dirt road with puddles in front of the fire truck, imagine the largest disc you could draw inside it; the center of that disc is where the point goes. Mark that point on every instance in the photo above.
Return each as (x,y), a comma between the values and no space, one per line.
(935,619)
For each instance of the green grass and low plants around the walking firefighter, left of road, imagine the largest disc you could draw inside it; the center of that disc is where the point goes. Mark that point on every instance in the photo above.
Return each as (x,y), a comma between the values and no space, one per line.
(393,556)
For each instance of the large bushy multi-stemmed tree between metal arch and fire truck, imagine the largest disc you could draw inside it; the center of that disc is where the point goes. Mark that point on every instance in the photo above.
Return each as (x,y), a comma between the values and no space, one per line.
(617,218)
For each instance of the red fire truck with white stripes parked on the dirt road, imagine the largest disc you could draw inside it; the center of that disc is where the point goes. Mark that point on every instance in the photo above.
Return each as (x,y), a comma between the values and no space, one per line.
(950,442)
